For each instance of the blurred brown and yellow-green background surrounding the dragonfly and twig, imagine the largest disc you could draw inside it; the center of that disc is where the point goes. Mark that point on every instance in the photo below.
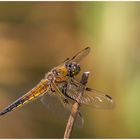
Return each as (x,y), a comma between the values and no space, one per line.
(36,36)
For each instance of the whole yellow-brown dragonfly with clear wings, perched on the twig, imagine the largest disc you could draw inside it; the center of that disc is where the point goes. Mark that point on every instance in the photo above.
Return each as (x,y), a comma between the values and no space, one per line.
(59,89)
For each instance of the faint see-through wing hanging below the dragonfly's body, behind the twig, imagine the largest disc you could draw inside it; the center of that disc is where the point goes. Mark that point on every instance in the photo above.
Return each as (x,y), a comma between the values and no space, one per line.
(53,104)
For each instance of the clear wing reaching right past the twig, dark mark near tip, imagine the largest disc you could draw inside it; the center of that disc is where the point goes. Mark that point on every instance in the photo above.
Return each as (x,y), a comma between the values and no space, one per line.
(91,97)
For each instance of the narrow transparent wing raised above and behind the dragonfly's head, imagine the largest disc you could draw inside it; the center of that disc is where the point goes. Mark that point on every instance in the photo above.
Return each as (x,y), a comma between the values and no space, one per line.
(79,56)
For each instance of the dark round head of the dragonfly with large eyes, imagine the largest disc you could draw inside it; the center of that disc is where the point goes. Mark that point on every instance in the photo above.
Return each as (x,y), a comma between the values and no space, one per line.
(73,69)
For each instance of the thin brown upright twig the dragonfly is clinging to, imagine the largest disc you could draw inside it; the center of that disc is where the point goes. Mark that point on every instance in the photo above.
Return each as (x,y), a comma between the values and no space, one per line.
(75,106)
